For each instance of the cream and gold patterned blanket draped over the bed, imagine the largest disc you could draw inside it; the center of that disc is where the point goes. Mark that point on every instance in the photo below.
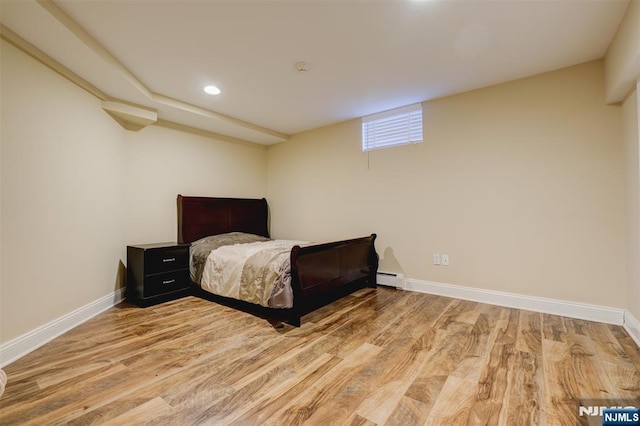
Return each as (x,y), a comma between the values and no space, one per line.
(258,272)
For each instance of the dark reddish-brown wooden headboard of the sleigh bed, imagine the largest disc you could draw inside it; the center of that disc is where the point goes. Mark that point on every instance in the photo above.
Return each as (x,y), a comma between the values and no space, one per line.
(200,217)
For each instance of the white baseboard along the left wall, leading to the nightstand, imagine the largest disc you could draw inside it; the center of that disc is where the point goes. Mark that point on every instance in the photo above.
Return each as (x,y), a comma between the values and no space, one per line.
(22,345)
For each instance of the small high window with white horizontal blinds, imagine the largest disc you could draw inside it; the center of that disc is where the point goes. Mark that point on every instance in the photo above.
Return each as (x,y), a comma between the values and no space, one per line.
(400,126)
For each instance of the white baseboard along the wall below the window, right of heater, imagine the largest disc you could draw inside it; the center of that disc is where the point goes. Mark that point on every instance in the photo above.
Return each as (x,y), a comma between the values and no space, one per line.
(584,311)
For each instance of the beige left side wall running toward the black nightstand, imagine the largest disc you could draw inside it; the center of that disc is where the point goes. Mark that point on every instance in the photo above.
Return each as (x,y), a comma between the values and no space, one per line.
(62,180)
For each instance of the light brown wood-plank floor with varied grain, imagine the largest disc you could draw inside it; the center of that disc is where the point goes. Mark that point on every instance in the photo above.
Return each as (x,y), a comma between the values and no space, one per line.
(375,357)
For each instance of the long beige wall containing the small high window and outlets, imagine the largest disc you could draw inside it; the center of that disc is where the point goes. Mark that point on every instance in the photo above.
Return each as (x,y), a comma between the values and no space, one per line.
(521,184)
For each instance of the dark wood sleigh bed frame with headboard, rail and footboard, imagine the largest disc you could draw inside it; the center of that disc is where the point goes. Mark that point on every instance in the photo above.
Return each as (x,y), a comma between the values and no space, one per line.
(320,273)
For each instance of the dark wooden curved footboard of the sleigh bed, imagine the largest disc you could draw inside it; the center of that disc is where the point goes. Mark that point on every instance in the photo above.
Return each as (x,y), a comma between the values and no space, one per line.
(320,271)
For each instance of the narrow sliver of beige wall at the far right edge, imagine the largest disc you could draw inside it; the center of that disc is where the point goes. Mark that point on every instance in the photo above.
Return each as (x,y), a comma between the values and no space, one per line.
(631,124)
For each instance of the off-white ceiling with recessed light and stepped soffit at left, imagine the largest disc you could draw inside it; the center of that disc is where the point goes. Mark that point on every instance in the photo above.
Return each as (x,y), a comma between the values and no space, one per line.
(363,56)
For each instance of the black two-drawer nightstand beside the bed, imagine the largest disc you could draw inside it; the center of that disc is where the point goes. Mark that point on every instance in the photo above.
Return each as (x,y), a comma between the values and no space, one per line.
(157,273)
